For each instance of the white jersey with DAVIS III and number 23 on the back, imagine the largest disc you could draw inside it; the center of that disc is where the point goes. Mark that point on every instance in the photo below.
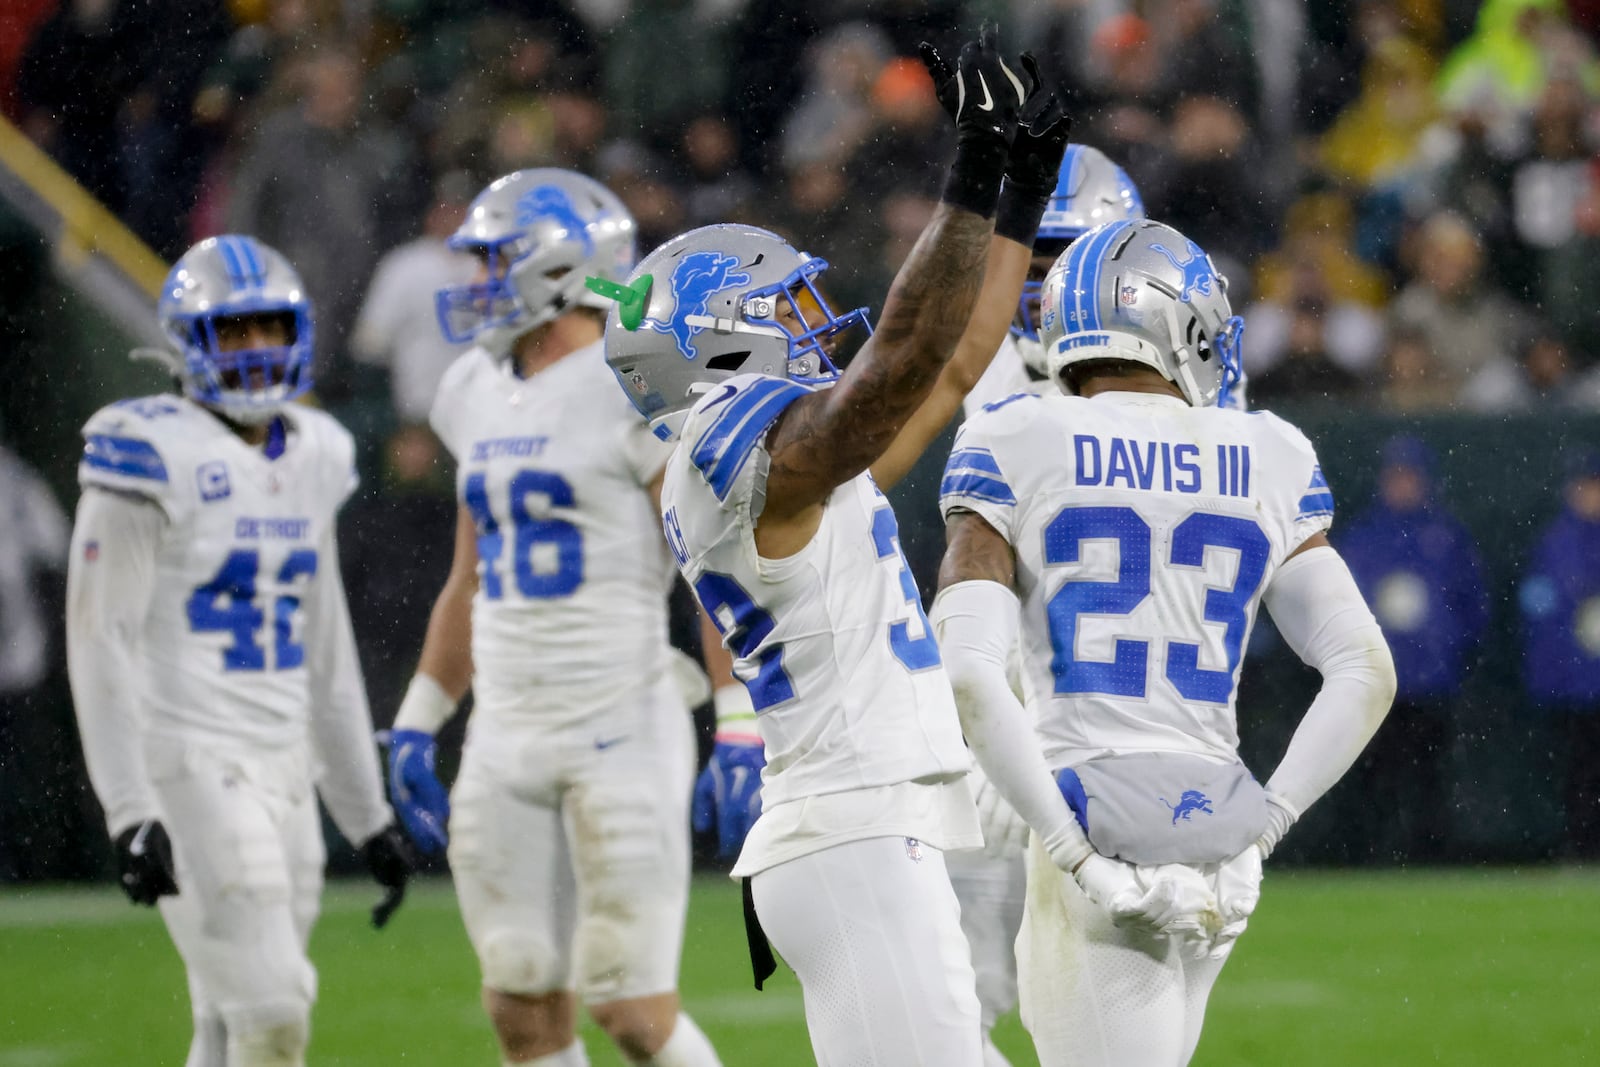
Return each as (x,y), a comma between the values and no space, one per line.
(1145,535)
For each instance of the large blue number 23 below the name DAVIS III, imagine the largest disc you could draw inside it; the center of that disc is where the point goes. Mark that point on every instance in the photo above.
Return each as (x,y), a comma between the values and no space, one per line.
(1126,674)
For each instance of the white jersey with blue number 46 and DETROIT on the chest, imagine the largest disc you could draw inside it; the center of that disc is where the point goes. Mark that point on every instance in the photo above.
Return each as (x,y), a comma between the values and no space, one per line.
(574,575)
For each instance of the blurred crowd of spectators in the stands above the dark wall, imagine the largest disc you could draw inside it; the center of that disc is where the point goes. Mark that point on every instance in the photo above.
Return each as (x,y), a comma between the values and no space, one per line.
(1402,193)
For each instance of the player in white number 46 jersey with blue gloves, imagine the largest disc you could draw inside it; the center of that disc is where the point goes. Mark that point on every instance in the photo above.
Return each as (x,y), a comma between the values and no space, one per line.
(569,823)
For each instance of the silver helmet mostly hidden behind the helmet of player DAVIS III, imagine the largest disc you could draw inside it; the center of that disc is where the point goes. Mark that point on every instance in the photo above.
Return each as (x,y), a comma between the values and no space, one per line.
(1089,191)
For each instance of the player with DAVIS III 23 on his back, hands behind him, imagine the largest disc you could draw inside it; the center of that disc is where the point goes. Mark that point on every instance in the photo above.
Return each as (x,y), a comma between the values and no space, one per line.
(1135,526)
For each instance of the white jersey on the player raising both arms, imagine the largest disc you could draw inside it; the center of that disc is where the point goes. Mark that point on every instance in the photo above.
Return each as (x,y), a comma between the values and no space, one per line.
(831,642)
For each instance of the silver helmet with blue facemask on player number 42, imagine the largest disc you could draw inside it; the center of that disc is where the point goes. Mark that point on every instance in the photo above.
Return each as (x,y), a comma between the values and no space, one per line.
(236,278)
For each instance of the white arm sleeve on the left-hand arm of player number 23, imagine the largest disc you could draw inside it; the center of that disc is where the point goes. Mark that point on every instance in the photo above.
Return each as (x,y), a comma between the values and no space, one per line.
(977,625)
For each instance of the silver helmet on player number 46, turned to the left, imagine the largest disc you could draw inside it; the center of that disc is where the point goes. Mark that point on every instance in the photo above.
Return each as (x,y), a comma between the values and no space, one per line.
(542,233)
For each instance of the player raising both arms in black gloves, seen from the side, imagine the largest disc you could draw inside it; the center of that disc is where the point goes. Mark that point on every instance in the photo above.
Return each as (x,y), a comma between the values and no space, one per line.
(722,340)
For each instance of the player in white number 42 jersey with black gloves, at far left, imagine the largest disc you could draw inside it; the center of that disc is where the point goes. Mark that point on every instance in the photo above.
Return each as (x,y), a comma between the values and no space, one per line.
(210,652)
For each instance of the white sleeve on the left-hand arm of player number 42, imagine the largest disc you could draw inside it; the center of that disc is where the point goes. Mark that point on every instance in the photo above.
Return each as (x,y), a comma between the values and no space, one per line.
(111,578)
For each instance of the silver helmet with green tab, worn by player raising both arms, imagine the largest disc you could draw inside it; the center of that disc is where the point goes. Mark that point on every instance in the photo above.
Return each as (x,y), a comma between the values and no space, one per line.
(714,303)
